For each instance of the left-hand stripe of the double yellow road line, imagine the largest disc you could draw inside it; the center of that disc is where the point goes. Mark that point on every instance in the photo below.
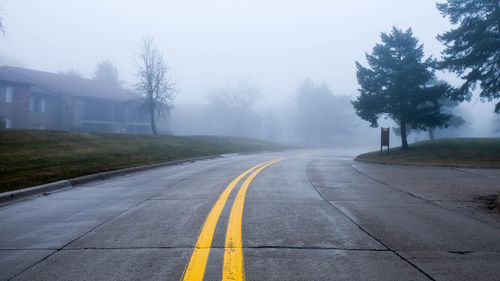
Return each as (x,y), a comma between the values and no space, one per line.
(196,267)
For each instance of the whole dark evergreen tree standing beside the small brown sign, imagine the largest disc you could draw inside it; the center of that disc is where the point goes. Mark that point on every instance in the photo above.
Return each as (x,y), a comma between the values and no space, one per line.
(395,84)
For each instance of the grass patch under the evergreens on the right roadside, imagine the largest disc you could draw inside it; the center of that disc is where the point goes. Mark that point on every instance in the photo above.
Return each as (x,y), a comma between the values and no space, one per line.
(459,151)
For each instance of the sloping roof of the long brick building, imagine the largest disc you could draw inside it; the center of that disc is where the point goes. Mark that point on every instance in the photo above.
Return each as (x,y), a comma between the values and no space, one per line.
(63,83)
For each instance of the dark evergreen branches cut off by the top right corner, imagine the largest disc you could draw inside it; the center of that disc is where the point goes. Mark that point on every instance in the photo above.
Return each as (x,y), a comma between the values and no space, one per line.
(473,47)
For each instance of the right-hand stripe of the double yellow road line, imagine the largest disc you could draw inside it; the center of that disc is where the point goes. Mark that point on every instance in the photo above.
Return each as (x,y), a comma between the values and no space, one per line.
(233,252)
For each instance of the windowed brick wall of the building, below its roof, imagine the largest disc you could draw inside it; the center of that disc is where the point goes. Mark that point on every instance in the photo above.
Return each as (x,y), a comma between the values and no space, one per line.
(64,112)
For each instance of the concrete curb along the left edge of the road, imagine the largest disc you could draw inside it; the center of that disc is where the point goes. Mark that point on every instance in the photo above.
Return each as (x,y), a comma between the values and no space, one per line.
(16,195)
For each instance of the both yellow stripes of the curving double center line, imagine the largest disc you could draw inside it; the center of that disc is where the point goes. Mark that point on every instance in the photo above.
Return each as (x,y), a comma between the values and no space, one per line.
(233,253)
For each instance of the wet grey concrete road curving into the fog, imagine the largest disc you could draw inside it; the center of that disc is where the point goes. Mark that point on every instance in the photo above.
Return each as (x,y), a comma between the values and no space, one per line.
(306,215)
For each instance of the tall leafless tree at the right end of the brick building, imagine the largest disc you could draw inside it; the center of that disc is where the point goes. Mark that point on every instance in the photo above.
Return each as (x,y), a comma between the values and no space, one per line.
(154,87)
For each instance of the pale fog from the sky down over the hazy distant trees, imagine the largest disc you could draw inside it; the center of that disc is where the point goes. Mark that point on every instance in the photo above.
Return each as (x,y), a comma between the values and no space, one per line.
(274,48)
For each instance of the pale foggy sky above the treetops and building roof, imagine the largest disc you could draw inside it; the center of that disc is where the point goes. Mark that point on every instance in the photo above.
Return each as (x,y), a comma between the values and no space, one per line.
(274,44)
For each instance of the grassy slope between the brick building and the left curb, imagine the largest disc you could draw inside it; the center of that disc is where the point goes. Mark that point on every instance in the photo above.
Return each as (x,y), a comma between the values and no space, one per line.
(33,157)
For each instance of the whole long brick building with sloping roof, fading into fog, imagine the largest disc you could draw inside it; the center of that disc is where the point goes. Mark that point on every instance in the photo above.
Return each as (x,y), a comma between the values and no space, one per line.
(43,100)
